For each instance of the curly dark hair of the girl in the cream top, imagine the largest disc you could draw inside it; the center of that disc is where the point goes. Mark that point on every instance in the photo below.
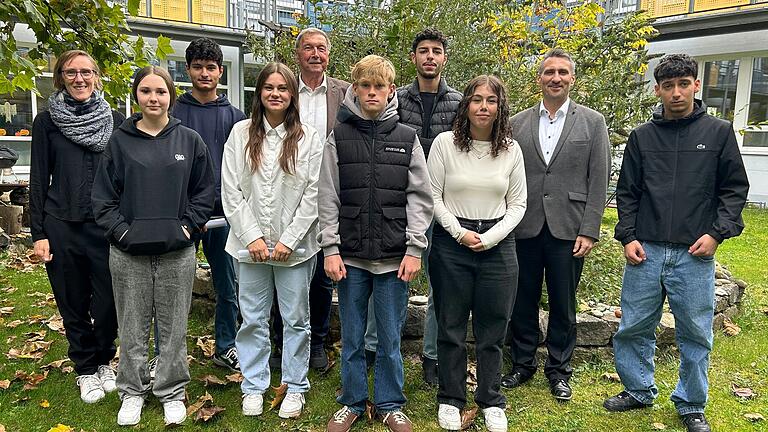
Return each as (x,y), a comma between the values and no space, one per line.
(501,136)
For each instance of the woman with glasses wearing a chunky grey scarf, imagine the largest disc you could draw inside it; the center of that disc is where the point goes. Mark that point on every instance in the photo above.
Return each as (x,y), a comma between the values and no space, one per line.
(67,145)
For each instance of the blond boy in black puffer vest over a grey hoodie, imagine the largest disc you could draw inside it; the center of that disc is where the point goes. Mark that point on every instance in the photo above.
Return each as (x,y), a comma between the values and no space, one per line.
(375,207)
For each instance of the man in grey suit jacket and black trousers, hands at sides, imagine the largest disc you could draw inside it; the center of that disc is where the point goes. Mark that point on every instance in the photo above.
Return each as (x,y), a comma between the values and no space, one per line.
(566,151)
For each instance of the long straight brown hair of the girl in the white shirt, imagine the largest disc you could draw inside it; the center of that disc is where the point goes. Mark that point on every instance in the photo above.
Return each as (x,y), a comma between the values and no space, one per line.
(292,122)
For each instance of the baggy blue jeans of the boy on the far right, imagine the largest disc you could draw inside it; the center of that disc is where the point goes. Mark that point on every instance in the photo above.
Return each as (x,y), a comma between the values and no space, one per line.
(688,282)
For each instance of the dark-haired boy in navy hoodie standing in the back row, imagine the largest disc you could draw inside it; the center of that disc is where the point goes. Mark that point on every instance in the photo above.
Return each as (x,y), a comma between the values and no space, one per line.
(212,116)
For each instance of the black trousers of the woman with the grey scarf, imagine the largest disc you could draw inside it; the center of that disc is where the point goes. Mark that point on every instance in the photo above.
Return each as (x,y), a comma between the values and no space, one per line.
(82,286)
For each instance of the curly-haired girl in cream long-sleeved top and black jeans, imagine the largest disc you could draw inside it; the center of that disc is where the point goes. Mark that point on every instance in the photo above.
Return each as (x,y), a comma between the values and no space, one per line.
(478,185)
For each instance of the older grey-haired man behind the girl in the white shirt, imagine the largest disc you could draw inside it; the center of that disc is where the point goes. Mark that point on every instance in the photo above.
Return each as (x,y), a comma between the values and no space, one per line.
(320,97)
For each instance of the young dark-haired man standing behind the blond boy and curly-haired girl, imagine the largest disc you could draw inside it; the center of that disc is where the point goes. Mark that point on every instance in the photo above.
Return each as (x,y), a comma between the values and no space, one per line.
(428,105)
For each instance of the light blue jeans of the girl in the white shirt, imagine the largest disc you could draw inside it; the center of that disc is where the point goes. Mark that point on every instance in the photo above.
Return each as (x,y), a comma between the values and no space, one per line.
(258,282)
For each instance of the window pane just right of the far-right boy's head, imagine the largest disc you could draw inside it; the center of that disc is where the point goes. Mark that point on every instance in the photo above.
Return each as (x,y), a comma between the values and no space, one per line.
(719,87)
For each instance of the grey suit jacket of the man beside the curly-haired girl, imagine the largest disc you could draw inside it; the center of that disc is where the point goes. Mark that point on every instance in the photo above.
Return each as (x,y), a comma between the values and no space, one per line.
(569,193)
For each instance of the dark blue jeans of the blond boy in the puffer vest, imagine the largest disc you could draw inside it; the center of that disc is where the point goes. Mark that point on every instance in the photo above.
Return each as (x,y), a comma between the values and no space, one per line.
(390,299)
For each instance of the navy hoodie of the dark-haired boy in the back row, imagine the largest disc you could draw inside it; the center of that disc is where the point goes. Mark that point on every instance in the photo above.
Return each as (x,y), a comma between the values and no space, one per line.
(213,121)
